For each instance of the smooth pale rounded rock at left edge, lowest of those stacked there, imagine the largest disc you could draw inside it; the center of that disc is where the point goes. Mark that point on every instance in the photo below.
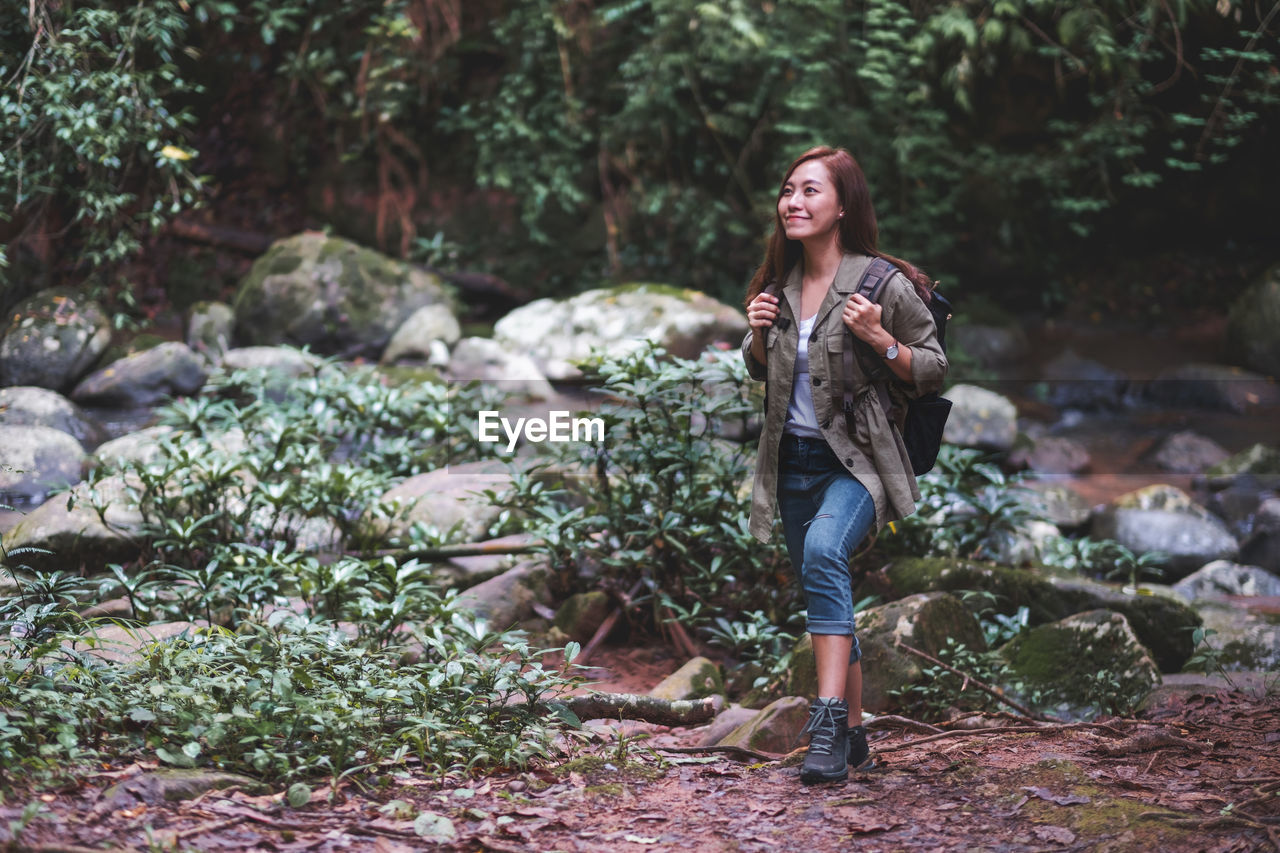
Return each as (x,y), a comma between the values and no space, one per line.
(35,462)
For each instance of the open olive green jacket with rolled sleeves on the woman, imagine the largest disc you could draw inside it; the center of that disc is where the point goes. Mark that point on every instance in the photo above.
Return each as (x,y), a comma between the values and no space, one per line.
(874,451)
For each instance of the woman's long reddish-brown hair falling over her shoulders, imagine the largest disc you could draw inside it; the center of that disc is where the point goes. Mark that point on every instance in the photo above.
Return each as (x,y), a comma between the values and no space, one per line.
(858,229)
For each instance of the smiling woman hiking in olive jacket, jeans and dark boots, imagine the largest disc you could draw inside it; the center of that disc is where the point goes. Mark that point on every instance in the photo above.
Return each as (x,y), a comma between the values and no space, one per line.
(833,480)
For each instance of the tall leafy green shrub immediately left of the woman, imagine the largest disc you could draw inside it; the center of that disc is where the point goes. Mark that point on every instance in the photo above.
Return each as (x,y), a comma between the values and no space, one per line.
(660,510)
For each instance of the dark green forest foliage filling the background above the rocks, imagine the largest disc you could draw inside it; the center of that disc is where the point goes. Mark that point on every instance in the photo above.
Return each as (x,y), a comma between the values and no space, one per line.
(642,139)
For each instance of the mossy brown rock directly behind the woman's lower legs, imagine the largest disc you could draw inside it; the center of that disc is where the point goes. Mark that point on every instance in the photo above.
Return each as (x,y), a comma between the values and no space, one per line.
(922,622)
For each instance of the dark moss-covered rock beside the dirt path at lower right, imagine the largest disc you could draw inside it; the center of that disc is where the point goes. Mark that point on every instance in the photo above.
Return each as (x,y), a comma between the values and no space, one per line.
(1062,662)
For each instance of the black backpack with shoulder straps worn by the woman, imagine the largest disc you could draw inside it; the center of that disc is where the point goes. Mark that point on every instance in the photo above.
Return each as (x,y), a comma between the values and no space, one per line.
(926,416)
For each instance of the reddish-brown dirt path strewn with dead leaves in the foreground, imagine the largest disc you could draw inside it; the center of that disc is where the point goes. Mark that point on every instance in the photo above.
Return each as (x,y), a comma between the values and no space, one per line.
(1201,772)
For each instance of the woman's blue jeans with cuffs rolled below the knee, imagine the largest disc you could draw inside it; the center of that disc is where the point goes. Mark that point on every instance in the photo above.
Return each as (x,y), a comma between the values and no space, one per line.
(826,513)
